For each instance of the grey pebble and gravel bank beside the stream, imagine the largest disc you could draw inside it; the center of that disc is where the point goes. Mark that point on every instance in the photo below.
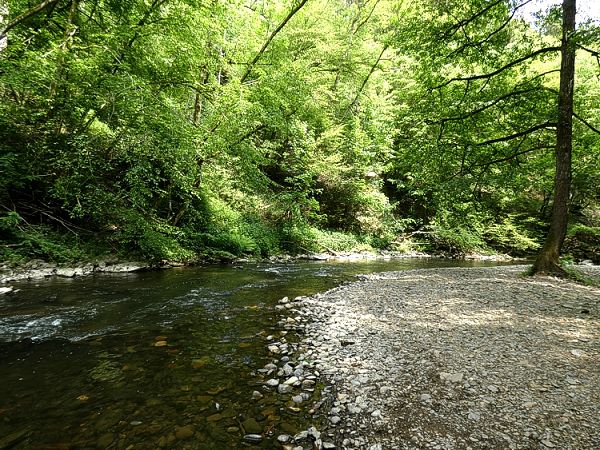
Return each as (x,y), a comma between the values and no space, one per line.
(456,358)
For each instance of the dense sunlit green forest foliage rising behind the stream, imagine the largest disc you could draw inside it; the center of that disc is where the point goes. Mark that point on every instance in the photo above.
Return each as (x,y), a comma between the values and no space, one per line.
(184,130)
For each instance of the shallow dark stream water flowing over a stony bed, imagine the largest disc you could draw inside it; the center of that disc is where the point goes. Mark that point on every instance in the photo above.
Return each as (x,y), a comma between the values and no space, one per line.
(163,359)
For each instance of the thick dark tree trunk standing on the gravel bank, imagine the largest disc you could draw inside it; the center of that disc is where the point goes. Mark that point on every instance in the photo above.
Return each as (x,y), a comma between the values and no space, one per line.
(547,260)
